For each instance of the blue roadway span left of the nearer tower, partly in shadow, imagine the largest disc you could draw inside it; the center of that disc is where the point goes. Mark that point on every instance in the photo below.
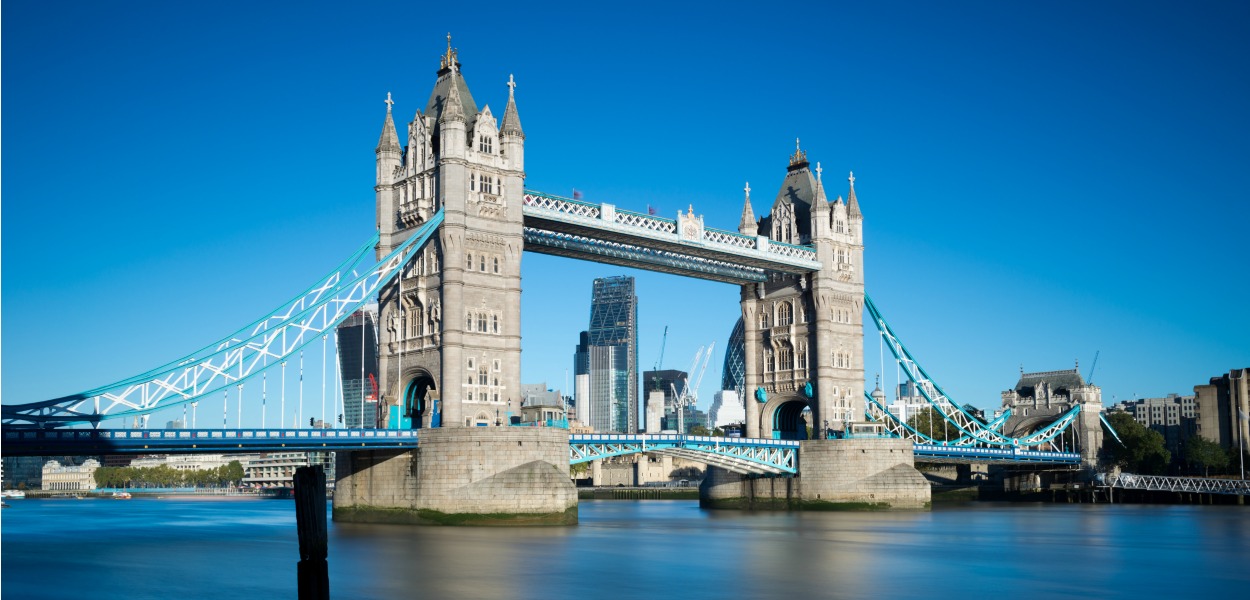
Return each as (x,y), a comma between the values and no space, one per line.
(88,442)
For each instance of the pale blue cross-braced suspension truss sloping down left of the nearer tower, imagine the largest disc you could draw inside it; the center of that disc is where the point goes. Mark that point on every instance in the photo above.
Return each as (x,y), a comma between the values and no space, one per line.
(234,359)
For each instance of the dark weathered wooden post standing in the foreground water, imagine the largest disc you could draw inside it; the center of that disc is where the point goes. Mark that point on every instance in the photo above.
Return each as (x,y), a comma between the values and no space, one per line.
(314,578)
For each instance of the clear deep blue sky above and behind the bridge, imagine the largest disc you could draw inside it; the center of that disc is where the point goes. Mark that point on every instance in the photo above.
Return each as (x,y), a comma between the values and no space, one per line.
(1039,183)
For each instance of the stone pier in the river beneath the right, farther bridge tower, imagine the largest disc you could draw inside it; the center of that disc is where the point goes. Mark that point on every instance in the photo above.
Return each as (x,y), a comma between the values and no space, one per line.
(833,476)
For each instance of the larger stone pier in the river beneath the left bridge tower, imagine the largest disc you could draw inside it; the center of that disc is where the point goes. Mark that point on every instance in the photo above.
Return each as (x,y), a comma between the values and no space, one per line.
(462,477)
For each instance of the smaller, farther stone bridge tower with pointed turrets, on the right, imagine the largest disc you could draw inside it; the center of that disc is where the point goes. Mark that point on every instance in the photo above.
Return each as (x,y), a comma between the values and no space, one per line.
(804,336)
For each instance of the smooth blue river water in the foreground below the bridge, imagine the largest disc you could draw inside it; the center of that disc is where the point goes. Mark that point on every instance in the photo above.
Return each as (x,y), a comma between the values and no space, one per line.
(222,549)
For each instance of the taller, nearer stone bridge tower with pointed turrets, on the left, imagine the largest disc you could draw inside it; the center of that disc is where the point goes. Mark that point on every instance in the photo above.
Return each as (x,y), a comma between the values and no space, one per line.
(451,326)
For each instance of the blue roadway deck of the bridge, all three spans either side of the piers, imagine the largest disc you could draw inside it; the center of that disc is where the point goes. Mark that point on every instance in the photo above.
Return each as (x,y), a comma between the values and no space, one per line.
(757,456)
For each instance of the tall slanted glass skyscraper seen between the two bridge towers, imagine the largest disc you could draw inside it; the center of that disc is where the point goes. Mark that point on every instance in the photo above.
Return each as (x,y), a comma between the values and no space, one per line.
(608,356)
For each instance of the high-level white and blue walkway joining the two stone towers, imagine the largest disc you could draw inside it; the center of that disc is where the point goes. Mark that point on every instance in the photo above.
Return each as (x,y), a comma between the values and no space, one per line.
(607,234)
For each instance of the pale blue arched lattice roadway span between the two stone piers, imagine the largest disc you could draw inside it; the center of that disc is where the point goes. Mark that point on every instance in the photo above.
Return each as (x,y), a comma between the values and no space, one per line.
(746,456)
